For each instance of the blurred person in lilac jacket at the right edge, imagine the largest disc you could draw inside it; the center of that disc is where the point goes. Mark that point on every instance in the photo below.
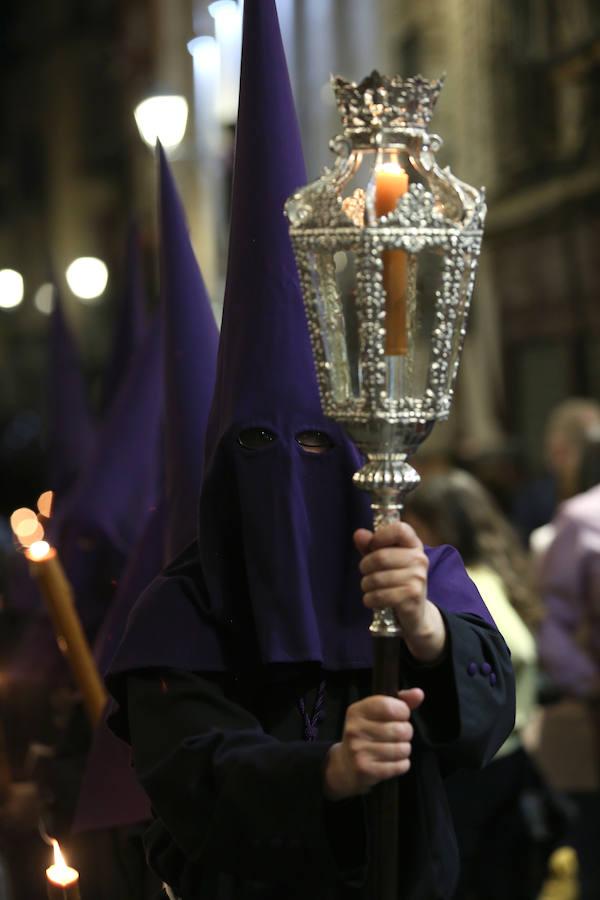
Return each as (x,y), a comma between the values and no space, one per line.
(569,646)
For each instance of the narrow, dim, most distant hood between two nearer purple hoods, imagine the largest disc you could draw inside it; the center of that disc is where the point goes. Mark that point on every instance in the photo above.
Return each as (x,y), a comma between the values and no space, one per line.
(131,321)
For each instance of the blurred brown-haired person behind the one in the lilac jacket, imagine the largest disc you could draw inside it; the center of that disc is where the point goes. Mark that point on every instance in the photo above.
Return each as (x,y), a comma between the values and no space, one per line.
(564,437)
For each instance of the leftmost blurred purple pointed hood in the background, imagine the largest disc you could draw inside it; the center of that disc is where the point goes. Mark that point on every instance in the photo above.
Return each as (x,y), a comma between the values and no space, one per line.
(70,431)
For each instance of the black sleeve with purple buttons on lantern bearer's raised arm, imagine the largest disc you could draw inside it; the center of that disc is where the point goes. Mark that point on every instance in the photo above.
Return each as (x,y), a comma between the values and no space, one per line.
(469,707)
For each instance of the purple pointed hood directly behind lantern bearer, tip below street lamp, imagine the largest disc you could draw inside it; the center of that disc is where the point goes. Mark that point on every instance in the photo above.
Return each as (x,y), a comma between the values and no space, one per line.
(189,354)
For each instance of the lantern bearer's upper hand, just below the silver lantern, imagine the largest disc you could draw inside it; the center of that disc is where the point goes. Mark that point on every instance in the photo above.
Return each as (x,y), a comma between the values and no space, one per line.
(394,569)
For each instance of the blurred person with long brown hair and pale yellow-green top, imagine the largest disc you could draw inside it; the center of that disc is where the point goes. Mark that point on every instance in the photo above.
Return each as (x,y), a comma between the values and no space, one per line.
(506,819)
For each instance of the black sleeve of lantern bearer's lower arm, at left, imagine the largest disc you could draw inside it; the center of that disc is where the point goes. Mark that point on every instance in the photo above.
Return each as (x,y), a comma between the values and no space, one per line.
(233,798)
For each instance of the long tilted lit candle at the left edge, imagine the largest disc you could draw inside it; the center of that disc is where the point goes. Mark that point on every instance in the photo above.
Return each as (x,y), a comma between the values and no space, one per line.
(58,596)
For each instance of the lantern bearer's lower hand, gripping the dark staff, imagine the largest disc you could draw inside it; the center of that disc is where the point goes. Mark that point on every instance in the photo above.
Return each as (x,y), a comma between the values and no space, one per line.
(376,744)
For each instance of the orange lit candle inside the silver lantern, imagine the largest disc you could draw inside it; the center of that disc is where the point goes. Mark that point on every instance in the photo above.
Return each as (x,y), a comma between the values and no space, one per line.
(391,182)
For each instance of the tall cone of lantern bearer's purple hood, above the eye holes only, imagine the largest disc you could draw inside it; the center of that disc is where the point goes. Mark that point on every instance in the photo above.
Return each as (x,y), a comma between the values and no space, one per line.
(265,360)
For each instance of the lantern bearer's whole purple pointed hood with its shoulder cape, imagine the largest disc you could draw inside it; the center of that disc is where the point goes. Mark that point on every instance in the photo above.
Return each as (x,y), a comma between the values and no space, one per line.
(275,578)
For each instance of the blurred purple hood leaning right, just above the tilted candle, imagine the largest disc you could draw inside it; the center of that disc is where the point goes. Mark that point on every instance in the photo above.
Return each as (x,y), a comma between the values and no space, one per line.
(100,522)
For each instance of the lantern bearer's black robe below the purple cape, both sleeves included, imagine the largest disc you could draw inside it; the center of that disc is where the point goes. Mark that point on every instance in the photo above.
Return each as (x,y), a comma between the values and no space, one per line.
(237,789)
